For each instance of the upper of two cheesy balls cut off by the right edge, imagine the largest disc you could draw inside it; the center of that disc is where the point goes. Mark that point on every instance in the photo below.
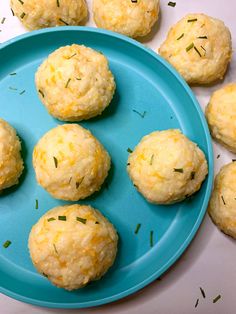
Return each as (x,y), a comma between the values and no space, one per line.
(221,116)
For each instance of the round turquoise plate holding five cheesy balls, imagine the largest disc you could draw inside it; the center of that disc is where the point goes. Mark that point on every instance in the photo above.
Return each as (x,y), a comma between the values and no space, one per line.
(145,82)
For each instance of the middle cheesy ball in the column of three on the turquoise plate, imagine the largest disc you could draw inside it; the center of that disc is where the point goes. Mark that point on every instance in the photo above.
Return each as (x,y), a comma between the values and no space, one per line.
(70,163)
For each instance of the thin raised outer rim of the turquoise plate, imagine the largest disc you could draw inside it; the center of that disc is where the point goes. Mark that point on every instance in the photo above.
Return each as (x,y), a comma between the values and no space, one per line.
(209,179)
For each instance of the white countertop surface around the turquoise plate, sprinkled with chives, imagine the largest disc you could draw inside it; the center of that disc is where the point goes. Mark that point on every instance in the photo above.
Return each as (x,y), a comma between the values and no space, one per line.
(210,260)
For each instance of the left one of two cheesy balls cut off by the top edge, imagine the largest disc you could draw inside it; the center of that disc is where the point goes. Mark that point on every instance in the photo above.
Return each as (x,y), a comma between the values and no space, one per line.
(47,13)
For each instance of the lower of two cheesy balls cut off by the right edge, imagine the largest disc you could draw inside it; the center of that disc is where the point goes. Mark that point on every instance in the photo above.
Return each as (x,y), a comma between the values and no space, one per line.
(222,206)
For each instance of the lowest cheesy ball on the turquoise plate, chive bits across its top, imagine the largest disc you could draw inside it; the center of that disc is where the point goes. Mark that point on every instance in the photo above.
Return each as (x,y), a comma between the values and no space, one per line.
(73,245)
